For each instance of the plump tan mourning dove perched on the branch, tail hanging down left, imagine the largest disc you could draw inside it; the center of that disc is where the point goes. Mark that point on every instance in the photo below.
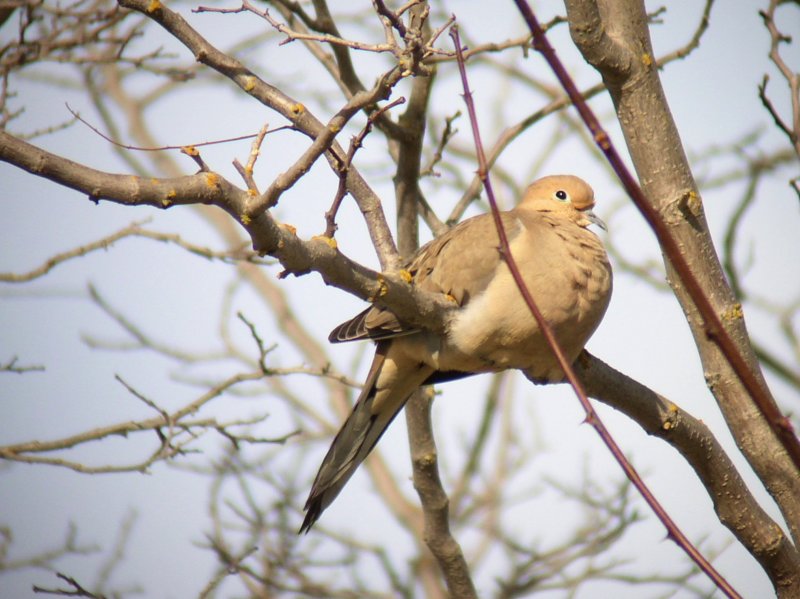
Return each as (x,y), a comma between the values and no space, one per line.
(566,270)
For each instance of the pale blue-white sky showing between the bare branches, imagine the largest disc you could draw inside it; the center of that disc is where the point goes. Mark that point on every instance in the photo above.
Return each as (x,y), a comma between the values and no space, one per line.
(714,101)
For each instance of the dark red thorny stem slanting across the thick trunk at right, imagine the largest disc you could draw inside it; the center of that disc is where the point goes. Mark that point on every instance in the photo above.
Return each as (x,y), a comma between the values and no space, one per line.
(715,330)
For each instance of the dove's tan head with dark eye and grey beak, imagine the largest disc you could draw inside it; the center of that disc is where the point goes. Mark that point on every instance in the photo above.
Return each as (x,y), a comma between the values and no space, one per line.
(565,195)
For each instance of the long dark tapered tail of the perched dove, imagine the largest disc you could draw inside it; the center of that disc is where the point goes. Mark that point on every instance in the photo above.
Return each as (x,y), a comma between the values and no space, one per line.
(358,435)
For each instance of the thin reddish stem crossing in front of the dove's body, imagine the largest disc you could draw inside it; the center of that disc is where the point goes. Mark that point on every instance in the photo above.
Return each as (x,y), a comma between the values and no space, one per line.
(673,532)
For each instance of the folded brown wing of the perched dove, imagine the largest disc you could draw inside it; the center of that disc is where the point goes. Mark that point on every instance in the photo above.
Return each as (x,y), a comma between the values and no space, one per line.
(460,264)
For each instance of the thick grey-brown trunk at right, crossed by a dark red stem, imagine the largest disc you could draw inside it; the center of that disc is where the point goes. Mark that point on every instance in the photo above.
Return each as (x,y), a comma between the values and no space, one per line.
(675,211)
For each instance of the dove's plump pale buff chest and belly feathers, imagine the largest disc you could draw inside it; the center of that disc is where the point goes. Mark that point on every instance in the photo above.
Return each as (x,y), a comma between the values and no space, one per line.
(566,270)
